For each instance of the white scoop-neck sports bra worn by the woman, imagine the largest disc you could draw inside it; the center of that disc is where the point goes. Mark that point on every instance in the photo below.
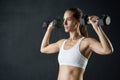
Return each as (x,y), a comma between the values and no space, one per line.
(72,56)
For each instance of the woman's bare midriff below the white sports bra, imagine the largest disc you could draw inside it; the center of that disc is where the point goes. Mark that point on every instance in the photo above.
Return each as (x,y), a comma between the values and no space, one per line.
(70,73)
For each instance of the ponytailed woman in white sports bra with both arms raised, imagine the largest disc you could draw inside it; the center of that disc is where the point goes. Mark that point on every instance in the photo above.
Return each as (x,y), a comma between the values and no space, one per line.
(75,51)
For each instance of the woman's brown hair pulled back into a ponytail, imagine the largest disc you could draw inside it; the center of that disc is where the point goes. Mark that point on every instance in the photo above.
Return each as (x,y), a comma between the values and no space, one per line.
(77,14)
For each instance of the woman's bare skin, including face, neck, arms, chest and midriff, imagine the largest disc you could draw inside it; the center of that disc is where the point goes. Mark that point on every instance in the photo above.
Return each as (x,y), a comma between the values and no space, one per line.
(87,46)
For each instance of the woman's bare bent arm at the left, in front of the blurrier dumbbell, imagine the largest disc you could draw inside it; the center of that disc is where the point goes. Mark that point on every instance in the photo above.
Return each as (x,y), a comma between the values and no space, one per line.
(46,47)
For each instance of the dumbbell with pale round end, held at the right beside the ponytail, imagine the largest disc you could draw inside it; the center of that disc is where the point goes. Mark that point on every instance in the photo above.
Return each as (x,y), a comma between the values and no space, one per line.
(103,20)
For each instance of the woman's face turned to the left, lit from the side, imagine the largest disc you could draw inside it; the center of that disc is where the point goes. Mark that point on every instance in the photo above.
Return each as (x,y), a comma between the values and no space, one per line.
(70,23)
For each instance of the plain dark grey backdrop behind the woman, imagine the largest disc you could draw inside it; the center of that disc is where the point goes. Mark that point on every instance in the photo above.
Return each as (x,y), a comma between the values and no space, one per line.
(21,33)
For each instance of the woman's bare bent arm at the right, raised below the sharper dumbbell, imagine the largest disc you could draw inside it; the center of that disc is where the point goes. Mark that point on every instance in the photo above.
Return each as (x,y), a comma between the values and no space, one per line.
(103,46)
